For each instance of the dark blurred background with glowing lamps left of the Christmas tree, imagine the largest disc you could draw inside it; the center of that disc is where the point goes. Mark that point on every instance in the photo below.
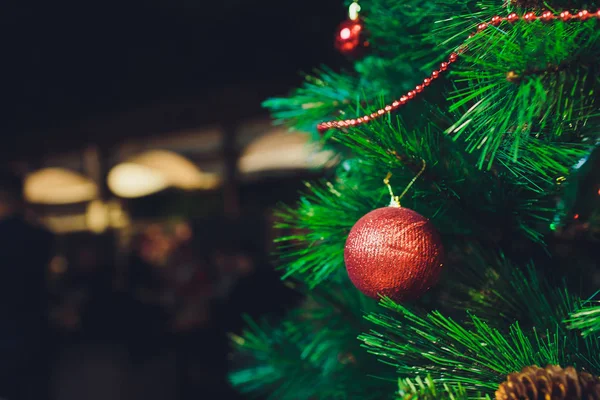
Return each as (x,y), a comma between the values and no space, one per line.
(149,174)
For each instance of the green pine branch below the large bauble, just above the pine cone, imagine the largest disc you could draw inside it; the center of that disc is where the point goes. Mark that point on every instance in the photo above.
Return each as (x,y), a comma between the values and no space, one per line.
(478,358)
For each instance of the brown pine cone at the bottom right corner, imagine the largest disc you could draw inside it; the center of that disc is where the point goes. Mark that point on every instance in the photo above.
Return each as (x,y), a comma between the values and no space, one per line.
(550,383)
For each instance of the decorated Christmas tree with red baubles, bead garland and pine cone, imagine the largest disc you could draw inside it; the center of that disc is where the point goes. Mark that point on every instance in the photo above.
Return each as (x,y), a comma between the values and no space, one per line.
(450,252)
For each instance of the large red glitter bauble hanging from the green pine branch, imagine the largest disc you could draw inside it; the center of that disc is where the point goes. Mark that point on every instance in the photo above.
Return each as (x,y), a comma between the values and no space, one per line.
(394,252)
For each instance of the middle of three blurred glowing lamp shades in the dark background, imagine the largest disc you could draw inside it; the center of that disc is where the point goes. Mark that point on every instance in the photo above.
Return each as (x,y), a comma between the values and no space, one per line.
(156,170)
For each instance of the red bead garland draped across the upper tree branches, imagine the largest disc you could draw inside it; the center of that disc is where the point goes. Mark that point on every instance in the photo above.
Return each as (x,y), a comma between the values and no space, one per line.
(496,20)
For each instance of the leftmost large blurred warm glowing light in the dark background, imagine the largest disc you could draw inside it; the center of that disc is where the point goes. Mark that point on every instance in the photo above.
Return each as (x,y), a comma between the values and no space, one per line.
(58,186)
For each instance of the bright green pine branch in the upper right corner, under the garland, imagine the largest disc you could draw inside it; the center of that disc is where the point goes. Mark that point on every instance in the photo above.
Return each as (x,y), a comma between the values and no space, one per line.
(525,83)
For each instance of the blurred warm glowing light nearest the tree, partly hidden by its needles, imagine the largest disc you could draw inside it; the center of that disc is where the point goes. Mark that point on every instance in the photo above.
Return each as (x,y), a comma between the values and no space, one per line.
(282,151)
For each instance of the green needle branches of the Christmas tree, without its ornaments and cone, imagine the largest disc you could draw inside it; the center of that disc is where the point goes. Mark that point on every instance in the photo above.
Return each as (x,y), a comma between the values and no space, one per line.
(526,134)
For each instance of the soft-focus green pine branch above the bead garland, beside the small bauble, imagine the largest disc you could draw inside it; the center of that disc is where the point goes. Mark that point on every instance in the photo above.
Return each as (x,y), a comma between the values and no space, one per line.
(405,46)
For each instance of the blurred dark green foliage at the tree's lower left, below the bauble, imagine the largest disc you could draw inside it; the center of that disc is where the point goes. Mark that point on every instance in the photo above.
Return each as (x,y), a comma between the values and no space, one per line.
(313,353)
